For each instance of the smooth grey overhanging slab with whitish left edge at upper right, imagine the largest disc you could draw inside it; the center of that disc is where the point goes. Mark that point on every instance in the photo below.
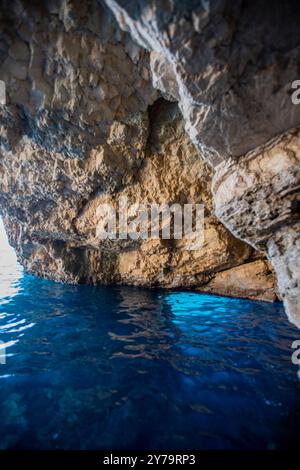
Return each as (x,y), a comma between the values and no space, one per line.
(230,63)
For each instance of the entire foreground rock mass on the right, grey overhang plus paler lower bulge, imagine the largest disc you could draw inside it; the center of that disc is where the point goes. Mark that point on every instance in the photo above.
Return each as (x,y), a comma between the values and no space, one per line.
(231,65)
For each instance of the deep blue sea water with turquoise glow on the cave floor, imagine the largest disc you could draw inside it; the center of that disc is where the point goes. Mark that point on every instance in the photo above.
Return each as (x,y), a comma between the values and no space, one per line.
(127,368)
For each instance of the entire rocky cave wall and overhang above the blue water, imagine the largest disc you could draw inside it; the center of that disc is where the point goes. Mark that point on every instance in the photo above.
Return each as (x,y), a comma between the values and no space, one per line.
(93,114)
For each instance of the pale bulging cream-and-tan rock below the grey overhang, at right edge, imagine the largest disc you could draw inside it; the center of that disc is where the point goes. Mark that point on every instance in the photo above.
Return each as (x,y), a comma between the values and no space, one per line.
(258,199)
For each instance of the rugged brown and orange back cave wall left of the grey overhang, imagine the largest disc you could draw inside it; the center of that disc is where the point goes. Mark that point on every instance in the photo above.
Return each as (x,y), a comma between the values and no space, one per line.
(82,126)
